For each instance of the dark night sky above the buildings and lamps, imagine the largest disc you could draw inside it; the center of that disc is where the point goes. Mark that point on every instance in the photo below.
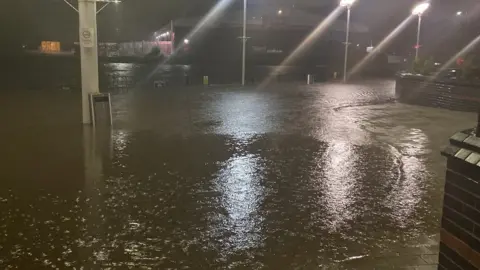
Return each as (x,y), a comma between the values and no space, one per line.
(30,21)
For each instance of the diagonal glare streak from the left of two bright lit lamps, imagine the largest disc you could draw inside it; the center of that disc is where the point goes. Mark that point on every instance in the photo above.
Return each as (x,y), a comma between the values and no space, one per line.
(306,43)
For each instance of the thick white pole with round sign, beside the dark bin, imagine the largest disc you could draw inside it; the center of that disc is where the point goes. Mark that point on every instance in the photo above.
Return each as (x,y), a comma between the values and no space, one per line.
(87,11)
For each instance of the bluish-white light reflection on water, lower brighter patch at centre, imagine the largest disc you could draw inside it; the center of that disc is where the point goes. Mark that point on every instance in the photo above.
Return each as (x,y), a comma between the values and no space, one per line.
(242,193)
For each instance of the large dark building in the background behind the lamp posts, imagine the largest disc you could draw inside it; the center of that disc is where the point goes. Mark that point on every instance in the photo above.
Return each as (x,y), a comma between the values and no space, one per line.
(272,37)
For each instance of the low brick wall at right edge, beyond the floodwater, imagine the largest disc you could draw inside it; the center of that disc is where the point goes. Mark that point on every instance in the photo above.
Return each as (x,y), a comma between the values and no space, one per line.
(449,95)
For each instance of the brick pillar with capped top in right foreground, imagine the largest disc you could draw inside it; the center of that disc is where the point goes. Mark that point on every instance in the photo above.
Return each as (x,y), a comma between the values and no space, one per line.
(460,231)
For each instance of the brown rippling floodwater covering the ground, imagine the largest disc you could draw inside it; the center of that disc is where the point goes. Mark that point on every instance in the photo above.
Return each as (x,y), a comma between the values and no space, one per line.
(329,176)
